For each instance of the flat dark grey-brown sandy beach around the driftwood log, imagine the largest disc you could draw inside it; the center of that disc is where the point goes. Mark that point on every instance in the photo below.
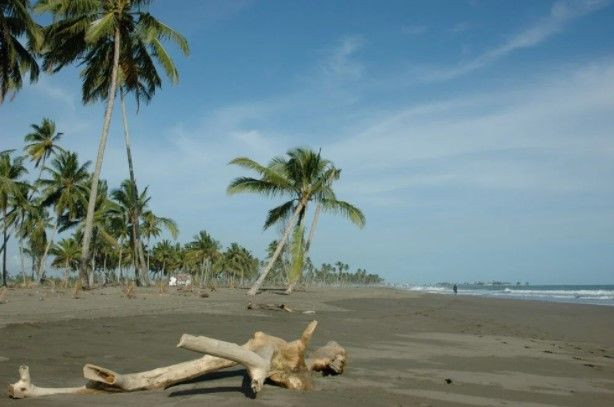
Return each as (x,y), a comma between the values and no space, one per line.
(404,348)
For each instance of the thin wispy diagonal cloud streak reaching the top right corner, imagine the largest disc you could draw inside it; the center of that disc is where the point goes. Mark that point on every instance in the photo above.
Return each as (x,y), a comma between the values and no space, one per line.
(562,13)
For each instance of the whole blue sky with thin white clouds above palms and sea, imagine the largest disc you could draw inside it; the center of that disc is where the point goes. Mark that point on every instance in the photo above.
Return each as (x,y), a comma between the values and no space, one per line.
(477,136)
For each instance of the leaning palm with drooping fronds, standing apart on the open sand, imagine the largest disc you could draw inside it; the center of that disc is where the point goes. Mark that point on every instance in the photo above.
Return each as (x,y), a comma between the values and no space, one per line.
(304,176)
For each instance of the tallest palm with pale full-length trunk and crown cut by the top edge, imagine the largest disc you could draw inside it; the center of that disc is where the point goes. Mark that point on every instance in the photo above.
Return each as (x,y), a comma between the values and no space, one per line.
(87,30)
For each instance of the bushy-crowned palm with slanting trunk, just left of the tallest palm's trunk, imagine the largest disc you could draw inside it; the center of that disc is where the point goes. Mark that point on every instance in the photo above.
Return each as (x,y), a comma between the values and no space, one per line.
(65,189)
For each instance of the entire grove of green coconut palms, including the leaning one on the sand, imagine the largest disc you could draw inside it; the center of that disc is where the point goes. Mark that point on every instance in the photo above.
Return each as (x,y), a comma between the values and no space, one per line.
(66,213)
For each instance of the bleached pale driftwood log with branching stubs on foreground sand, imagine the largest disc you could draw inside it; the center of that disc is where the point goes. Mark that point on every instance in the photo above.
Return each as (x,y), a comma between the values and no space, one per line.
(264,356)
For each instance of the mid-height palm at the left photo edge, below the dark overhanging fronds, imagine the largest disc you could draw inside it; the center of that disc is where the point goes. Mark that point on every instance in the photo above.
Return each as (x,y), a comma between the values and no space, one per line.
(11,171)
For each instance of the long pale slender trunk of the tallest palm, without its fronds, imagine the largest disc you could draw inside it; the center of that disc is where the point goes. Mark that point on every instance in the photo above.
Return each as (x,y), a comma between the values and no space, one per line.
(89,219)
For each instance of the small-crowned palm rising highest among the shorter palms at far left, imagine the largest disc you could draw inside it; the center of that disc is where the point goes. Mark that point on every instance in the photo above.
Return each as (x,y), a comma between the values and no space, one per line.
(42,143)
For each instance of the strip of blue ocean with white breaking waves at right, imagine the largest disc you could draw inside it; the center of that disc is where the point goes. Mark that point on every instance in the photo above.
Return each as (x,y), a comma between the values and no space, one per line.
(580,294)
